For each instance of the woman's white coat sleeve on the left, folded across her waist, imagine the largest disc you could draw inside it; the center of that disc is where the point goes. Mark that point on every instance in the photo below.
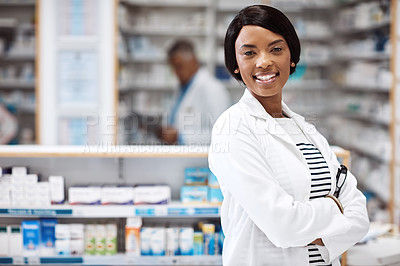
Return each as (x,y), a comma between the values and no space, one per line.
(242,170)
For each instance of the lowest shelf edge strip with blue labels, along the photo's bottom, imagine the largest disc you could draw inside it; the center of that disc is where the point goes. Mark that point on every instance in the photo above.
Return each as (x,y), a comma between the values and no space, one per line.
(119,259)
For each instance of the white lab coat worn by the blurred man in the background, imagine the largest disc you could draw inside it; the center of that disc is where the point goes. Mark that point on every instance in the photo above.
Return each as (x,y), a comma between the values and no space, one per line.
(202,104)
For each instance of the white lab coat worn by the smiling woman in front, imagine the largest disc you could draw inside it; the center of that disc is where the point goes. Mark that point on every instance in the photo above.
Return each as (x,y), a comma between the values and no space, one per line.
(266,215)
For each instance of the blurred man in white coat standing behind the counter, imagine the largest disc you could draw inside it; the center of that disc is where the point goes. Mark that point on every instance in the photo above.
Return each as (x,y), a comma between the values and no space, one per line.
(201,99)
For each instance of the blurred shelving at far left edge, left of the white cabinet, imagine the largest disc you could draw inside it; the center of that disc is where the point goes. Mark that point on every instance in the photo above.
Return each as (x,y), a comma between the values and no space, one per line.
(17,64)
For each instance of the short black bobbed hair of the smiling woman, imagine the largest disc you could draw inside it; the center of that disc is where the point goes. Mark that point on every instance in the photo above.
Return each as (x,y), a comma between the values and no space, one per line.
(264,16)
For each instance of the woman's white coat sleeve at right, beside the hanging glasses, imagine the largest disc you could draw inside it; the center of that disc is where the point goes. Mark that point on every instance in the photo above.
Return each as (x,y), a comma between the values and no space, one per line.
(355,213)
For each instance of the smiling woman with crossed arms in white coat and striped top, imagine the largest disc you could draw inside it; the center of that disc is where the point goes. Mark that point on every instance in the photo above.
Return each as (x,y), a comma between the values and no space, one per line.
(277,173)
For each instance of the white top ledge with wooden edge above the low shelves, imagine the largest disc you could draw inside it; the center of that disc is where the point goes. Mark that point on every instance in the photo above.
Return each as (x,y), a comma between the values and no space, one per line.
(111,151)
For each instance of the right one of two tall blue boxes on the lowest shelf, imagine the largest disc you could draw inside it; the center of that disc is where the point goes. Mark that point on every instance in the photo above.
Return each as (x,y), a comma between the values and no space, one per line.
(48,236)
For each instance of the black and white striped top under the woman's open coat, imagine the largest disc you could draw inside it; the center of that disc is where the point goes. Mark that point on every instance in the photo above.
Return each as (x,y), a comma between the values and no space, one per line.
(320,175)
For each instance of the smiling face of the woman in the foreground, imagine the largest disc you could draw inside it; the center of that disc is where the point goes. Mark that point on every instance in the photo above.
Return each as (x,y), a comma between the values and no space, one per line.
(263,58)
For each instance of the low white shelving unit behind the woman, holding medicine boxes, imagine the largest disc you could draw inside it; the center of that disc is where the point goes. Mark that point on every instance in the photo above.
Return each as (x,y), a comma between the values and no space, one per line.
(115,165)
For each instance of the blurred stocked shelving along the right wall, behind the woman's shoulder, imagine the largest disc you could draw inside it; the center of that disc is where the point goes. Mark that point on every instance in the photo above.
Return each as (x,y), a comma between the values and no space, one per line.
(362,71)
